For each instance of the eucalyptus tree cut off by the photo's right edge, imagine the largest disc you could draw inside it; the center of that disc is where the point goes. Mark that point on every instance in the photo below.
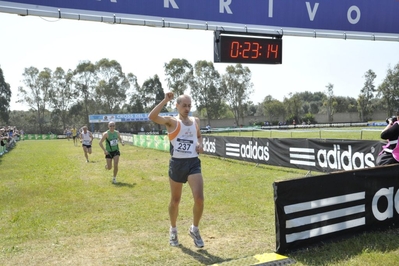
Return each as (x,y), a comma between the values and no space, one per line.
(389,90)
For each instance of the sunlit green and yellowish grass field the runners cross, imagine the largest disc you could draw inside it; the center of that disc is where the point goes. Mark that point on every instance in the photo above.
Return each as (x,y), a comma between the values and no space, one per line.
(56,209)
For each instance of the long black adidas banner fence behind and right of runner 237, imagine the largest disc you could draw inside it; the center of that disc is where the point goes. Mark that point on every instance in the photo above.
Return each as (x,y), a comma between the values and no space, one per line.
(310,154)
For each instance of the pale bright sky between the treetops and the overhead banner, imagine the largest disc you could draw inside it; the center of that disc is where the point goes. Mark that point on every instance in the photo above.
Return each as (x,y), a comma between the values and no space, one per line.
(309,64)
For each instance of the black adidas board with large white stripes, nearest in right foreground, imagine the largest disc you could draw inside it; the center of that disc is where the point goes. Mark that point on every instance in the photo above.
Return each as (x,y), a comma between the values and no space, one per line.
(314,209)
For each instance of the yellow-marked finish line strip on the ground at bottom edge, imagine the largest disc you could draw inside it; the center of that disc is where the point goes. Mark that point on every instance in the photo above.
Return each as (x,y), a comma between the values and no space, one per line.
(265,259)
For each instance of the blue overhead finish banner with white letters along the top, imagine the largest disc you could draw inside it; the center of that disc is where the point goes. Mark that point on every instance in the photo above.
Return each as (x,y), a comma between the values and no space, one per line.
(371,16)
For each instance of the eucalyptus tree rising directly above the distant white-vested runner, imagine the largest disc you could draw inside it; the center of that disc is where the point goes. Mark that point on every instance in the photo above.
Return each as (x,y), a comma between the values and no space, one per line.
(84,79)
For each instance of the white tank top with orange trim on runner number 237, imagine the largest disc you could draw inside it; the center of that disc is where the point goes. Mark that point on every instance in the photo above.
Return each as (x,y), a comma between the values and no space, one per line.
(184,140)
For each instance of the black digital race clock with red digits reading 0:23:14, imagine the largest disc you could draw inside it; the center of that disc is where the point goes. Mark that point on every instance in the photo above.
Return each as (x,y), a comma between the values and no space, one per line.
(248,50)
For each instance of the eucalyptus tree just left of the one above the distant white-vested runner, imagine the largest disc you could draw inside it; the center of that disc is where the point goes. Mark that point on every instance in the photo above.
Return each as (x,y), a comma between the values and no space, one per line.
(63,95)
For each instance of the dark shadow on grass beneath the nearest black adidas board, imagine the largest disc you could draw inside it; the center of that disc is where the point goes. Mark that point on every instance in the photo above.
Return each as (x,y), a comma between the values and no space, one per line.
(340,251)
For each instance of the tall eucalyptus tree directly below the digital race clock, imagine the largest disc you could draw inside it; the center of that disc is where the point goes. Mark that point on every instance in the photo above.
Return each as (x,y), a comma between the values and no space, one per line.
(237,88)
